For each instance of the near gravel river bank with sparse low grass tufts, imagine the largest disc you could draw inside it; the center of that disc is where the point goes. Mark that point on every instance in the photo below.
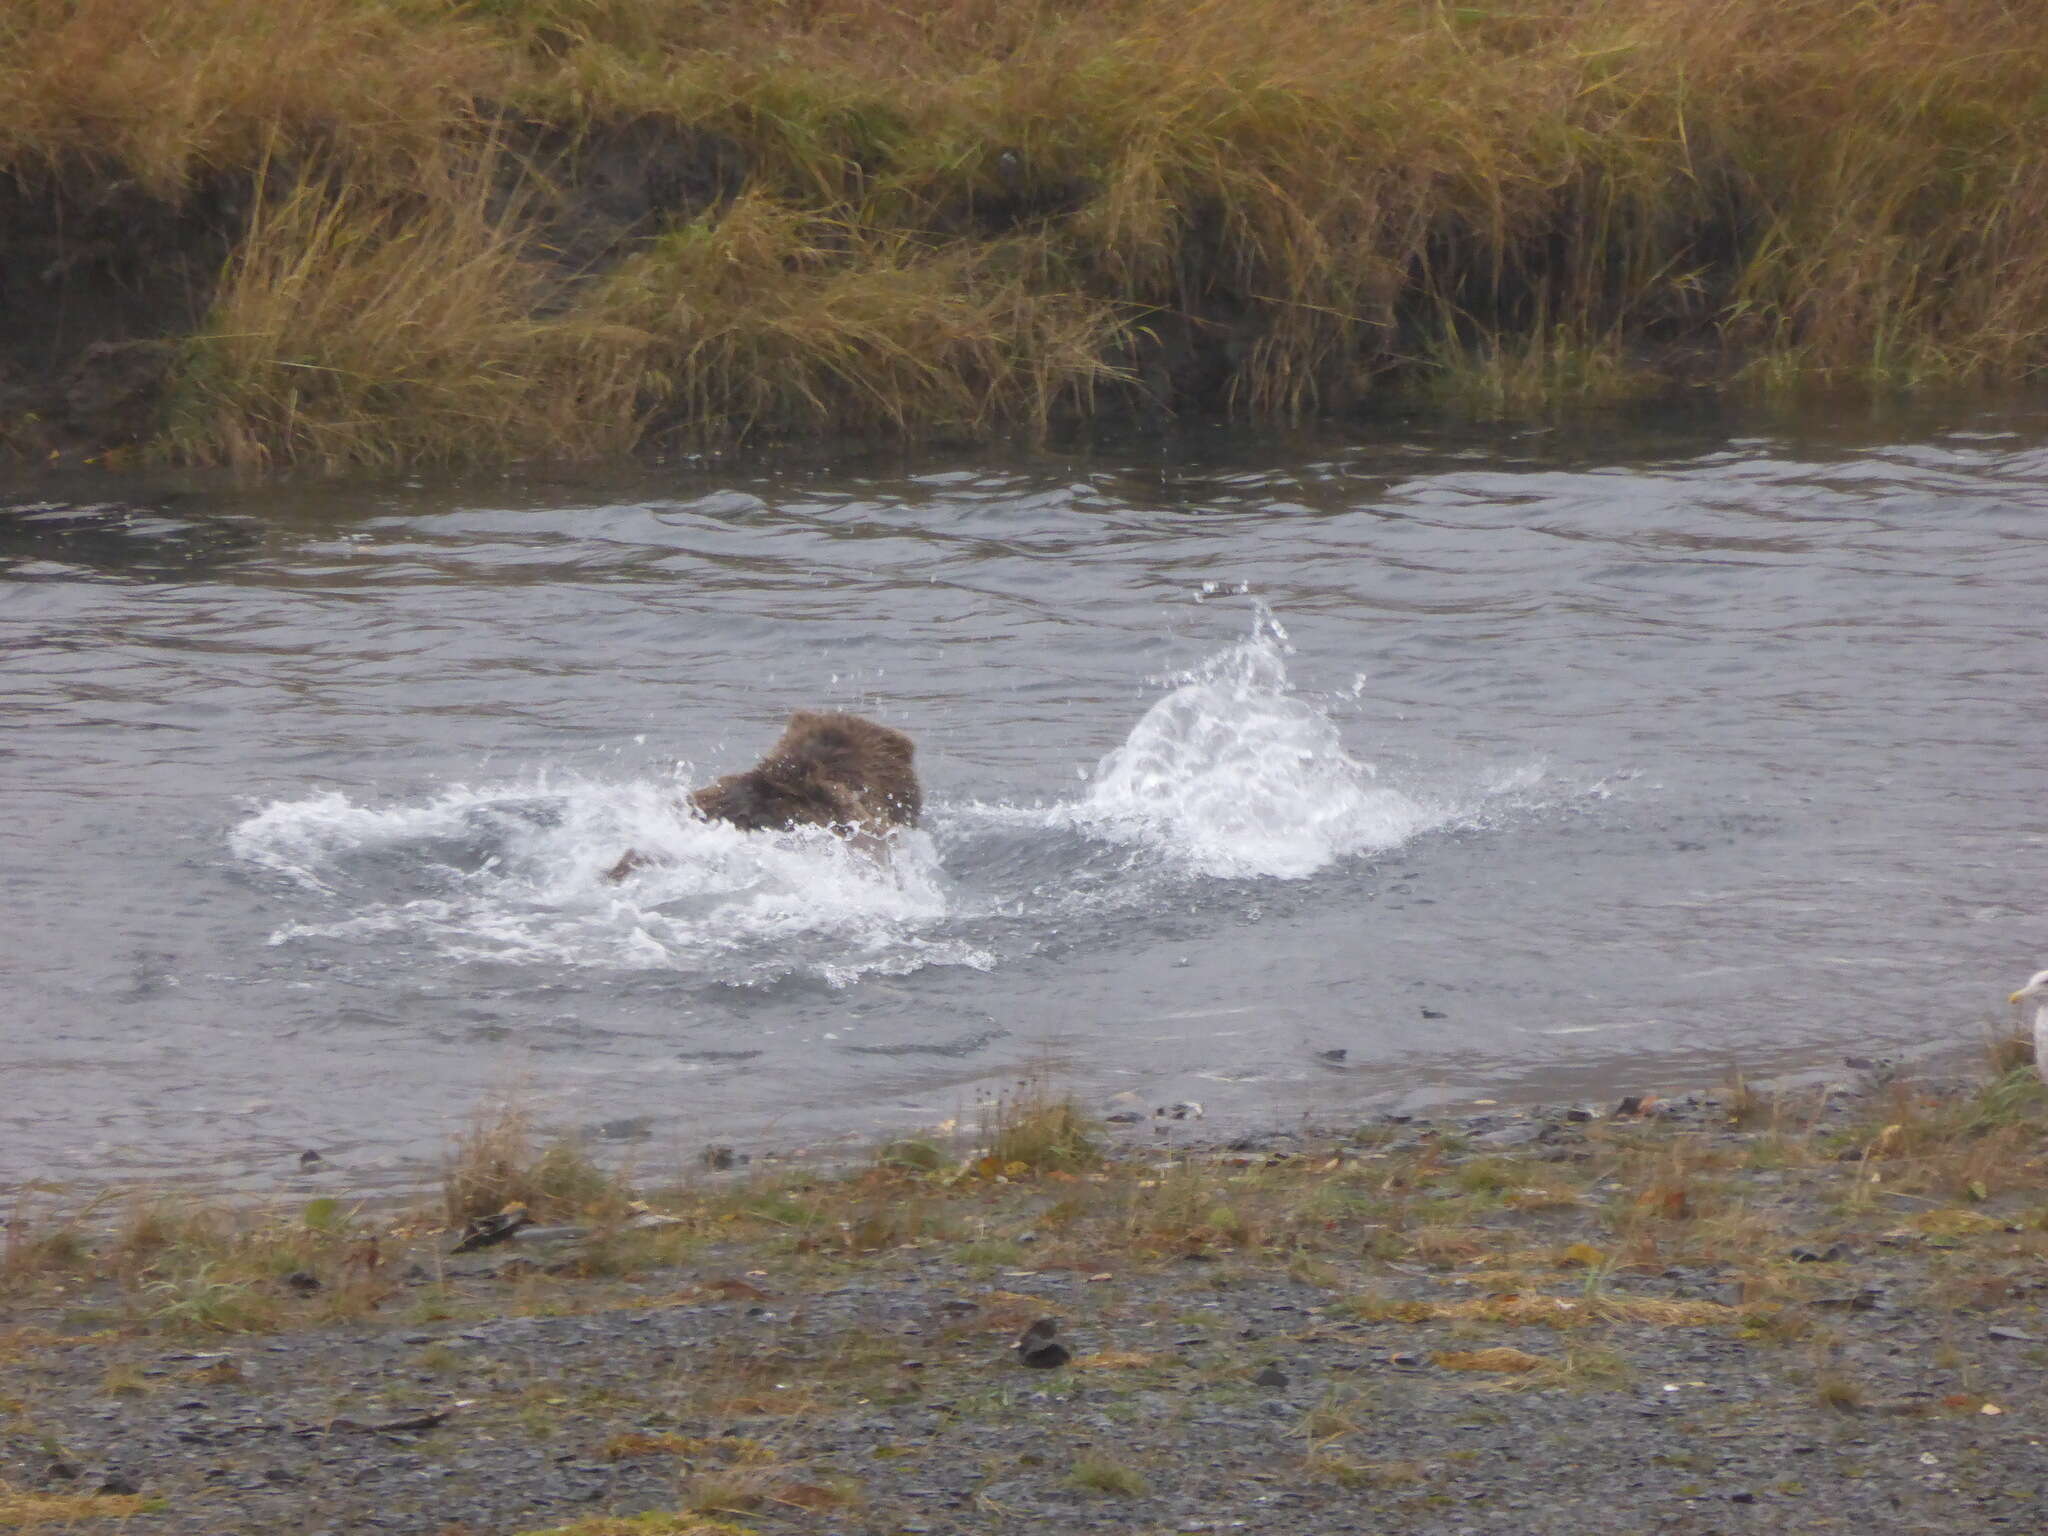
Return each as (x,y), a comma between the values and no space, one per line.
(1721,1314)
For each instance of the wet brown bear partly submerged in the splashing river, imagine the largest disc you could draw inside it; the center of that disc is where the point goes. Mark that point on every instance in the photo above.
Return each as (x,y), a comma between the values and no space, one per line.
(828,771)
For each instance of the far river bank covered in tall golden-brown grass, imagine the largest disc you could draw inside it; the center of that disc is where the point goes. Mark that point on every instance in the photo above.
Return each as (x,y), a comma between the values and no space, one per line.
(427,230)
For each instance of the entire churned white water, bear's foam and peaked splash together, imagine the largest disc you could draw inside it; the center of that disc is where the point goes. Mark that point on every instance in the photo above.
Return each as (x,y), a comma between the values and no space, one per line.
(1232,775)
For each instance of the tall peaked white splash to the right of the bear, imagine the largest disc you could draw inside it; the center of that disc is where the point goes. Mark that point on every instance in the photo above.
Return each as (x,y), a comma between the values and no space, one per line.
(1238,777)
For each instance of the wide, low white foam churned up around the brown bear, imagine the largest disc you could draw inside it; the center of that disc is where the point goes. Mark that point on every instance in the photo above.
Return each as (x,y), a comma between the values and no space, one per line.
(515,873)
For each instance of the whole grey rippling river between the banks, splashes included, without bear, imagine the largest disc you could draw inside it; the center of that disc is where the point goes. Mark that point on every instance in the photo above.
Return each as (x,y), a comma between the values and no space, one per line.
(1504,765)
